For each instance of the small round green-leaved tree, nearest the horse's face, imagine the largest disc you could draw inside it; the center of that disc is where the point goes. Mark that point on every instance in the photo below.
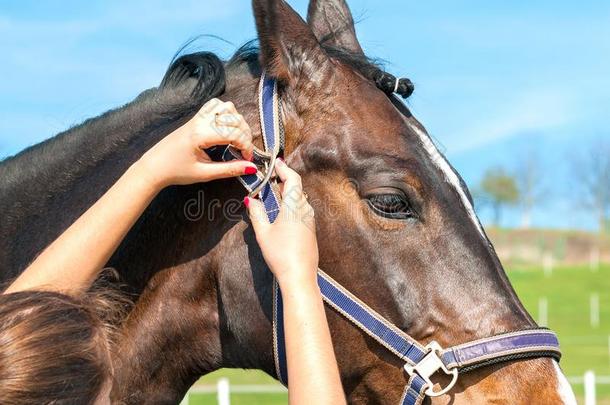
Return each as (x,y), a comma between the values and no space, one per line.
(499,189)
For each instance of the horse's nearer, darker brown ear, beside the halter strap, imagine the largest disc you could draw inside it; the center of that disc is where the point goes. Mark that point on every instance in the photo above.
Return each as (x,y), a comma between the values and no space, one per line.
(289,48)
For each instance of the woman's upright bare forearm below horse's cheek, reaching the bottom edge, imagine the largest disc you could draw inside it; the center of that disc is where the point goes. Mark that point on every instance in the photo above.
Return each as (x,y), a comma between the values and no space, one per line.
(311,359)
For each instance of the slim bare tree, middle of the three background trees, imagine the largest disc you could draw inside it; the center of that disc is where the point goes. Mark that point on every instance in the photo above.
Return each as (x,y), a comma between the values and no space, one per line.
(528,176)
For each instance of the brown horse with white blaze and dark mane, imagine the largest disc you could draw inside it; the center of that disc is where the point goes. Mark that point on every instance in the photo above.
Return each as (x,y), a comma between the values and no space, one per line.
(395,224)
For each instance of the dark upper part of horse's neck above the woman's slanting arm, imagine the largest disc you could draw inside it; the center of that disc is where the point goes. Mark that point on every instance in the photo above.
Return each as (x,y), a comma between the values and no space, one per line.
(44,188)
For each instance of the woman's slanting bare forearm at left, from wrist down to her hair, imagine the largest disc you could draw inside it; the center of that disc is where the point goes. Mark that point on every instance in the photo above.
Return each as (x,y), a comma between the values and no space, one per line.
(73,261)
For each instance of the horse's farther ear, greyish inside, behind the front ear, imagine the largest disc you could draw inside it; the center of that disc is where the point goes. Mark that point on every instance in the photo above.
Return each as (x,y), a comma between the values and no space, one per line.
(333,24)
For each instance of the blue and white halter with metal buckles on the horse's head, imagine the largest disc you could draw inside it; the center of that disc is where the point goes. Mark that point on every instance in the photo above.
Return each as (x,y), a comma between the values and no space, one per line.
(421,362)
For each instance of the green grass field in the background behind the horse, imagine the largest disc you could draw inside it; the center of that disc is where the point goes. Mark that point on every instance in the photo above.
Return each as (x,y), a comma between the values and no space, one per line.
(567,291)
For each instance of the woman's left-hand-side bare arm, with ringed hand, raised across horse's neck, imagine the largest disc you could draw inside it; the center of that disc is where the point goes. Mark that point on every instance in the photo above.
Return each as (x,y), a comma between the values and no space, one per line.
(73,261)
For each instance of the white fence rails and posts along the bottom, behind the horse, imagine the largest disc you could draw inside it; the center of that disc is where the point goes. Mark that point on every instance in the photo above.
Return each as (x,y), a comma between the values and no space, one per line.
(223,389)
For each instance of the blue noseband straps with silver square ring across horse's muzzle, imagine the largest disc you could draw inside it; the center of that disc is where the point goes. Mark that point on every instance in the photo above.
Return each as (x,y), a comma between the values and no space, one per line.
(422,362)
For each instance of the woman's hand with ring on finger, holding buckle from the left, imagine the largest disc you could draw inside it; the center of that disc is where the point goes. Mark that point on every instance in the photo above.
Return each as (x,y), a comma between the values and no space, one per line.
(179,158)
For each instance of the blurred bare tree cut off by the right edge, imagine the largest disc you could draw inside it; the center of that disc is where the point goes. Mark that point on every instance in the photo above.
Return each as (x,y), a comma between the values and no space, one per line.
(591,170)
